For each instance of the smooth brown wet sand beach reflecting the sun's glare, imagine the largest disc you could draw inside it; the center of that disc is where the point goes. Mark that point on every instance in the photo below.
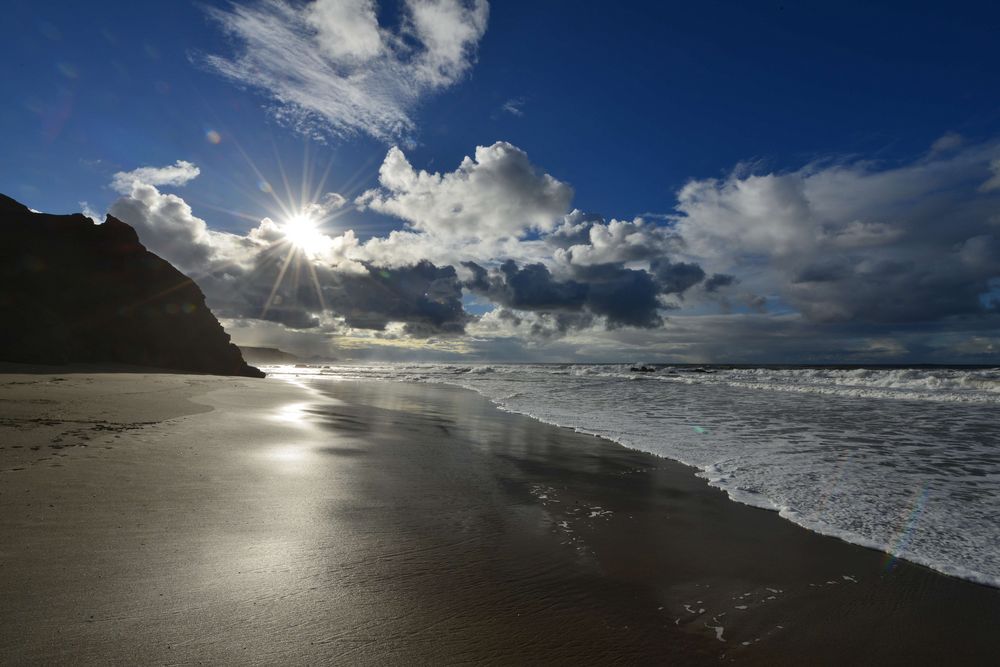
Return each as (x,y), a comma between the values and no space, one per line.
(185,519)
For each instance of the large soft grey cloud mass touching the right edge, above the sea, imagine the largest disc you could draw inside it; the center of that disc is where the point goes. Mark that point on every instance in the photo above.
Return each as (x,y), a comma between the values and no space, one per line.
(852,242)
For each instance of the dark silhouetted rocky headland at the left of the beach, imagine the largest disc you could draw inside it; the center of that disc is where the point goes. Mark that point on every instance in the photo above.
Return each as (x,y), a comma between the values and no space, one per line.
(75,291)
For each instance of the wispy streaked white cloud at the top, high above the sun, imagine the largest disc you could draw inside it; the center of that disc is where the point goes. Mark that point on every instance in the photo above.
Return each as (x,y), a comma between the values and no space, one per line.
(329,67)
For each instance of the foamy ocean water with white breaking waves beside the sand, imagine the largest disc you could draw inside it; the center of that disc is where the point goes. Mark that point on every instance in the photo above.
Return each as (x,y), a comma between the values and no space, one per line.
(904,460)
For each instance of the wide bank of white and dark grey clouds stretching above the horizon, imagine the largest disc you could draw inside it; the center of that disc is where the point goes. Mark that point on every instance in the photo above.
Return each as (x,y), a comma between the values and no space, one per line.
(838,260)
